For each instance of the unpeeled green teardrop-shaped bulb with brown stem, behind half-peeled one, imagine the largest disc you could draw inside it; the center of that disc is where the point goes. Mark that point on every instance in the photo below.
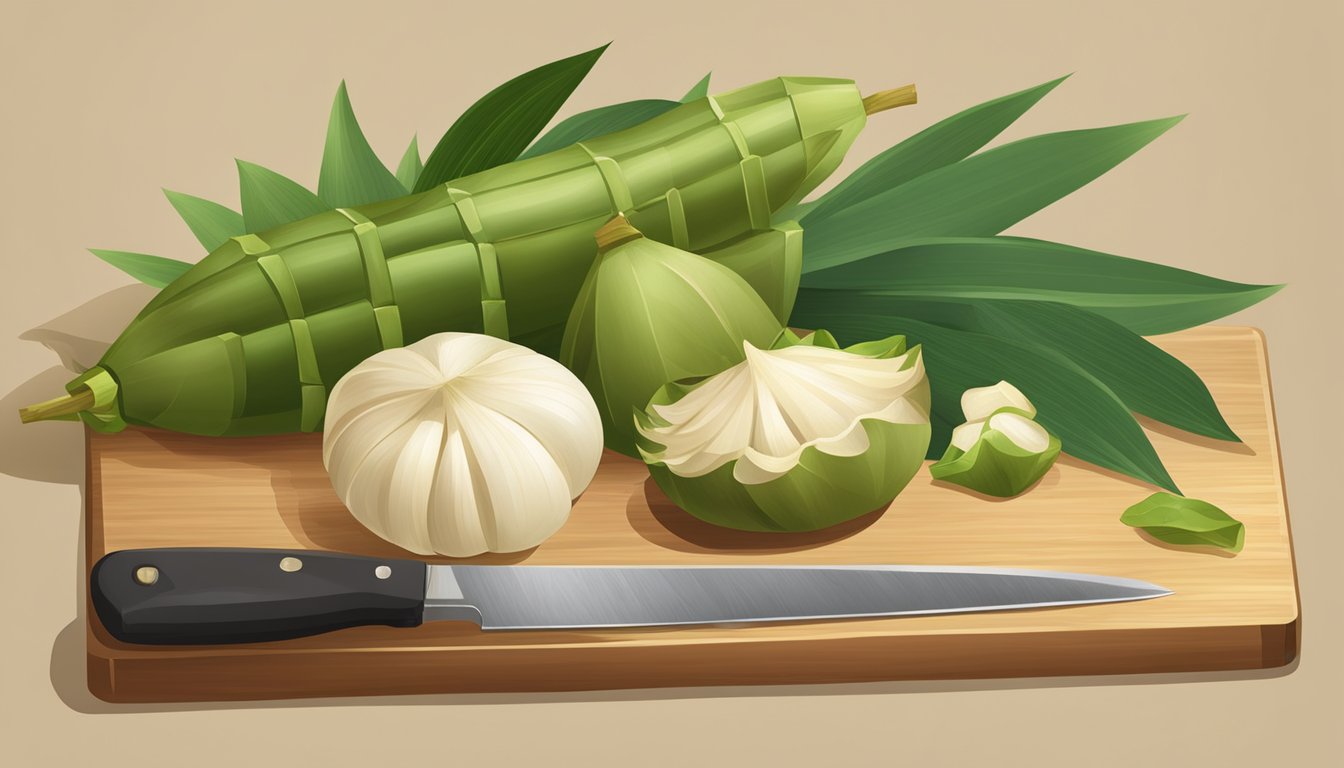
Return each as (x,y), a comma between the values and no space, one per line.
(650,314)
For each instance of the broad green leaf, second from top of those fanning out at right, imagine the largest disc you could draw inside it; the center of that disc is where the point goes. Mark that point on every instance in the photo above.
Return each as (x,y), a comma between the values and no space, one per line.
(980,196)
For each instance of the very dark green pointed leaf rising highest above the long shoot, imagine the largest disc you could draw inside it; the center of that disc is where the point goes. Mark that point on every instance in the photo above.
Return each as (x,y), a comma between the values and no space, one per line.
(502,123)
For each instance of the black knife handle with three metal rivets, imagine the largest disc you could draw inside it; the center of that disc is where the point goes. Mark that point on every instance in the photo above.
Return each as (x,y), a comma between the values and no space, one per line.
(201,597)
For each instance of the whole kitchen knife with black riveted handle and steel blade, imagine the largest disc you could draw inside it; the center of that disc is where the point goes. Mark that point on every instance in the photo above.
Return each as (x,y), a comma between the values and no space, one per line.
(178,597)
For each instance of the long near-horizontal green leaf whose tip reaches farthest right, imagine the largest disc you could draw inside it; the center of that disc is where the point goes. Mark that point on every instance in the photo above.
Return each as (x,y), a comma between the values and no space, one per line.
(1142,297)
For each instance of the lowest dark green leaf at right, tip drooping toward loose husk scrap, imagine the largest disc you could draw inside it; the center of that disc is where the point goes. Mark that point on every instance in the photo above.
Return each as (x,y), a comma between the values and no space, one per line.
(1092,422)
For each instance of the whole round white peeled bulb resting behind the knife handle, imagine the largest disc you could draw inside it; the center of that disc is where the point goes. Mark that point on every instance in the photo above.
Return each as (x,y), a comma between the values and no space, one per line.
(462,445)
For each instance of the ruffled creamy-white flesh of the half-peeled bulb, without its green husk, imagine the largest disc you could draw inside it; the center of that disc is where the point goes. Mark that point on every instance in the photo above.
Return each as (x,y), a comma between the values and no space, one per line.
(768,410)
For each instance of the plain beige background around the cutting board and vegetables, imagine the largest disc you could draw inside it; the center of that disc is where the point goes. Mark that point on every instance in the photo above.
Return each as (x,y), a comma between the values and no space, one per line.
(107,103)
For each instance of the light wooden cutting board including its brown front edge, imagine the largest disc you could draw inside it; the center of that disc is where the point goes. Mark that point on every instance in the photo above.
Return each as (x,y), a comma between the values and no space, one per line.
(155,489)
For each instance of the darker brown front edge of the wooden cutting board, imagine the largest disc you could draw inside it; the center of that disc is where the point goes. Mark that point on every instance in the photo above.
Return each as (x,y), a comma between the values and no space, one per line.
(545,669)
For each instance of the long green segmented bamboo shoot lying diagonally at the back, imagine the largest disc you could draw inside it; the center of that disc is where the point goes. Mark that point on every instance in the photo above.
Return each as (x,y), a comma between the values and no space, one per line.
(252,338)
